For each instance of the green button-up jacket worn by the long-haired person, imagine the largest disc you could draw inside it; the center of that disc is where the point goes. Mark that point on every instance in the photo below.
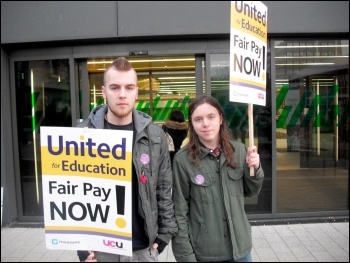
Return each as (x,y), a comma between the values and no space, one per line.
(209,206)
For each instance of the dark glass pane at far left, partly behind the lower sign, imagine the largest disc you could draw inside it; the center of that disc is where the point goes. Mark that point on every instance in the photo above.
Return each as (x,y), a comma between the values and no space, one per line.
(42,99)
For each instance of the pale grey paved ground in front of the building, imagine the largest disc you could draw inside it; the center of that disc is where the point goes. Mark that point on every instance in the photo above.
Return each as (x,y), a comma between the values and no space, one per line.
(309,242)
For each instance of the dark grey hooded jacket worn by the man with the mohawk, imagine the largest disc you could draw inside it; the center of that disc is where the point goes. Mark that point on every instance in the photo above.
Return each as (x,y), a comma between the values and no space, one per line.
(156,205)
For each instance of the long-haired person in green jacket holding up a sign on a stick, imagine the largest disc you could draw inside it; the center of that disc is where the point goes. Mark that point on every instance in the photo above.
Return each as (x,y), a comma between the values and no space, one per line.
(211,177)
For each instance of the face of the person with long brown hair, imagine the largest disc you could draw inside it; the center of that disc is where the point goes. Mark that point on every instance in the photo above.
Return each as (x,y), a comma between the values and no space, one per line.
(206,122)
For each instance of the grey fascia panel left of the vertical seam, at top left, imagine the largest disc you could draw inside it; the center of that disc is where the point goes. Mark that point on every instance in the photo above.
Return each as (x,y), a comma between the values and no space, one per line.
(32,21)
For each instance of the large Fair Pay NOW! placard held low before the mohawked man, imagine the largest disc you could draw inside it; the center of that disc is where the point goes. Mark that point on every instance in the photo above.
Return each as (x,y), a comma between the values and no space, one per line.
(86,180)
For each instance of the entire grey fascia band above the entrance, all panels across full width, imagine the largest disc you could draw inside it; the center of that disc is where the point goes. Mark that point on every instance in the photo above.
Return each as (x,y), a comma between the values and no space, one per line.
(32,21)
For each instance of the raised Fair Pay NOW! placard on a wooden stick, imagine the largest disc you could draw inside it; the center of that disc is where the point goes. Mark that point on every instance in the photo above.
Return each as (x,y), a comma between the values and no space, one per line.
(248,55)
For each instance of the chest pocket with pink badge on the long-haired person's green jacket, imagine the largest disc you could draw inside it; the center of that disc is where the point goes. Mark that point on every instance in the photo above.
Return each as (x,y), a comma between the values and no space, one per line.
(204,188)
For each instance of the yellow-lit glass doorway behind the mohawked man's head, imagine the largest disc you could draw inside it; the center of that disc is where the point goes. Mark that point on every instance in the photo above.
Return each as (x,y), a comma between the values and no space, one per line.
(164,82)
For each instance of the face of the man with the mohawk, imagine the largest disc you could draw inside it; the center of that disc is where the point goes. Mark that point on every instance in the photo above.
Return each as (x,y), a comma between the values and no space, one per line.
(120,91)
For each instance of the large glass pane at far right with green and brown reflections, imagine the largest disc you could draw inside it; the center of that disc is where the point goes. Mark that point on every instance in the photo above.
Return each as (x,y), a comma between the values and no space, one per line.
(312,110)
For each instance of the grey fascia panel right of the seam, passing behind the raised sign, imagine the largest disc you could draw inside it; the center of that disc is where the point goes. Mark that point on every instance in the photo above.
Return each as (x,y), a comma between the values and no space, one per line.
(152,18)
